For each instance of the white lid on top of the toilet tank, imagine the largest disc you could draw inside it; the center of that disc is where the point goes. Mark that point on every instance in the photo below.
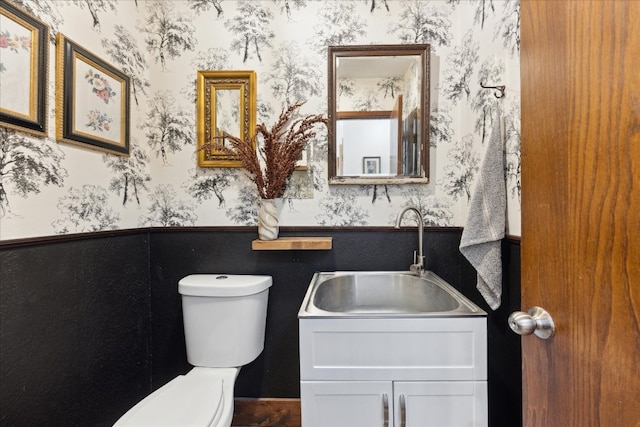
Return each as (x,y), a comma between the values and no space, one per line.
(223,285)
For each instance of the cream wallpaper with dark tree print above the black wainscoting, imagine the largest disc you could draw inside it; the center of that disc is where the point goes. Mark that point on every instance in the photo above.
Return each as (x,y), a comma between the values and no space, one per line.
(47,187)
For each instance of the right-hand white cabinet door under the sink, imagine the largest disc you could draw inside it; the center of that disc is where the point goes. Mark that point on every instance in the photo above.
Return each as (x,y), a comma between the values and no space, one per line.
(441,404)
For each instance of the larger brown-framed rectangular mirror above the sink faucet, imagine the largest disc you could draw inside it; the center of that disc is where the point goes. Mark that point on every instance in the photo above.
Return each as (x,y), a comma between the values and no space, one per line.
(378,112)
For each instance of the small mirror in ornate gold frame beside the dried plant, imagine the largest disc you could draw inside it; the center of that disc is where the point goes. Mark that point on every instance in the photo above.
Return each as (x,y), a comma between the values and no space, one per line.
(226,105)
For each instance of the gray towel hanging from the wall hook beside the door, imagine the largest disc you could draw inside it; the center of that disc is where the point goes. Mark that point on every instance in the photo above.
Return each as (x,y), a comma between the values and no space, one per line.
(485,228)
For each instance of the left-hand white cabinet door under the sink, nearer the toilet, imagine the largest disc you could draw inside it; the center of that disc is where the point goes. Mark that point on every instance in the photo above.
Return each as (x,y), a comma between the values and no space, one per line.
(346,404)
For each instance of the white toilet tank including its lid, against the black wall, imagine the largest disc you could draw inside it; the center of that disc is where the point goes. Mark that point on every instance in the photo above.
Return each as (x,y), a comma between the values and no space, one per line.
(224,318)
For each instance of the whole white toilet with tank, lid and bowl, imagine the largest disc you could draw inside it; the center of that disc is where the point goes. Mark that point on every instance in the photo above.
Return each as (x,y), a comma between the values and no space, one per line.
(224,323)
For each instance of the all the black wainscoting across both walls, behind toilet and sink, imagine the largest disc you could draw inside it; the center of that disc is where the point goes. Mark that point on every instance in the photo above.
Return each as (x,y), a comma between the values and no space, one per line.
(92,323)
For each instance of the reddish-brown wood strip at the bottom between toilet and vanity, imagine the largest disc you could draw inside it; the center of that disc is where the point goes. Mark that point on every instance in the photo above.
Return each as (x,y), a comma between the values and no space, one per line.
(266,413)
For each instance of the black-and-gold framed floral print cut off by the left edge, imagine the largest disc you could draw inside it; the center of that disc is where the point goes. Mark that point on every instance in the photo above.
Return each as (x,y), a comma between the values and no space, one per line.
(24,58)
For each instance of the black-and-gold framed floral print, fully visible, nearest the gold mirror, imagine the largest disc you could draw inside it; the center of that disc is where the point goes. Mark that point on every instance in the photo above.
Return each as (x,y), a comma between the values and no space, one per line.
(92,100)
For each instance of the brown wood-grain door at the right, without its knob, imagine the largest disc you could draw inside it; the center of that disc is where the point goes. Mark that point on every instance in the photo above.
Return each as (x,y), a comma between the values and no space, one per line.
(580,69)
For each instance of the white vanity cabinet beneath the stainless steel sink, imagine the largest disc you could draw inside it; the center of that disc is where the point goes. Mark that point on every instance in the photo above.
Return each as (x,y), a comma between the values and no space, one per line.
(393,372)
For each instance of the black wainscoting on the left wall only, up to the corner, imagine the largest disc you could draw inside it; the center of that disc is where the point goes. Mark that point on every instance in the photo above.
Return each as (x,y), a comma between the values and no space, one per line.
(74,330)
